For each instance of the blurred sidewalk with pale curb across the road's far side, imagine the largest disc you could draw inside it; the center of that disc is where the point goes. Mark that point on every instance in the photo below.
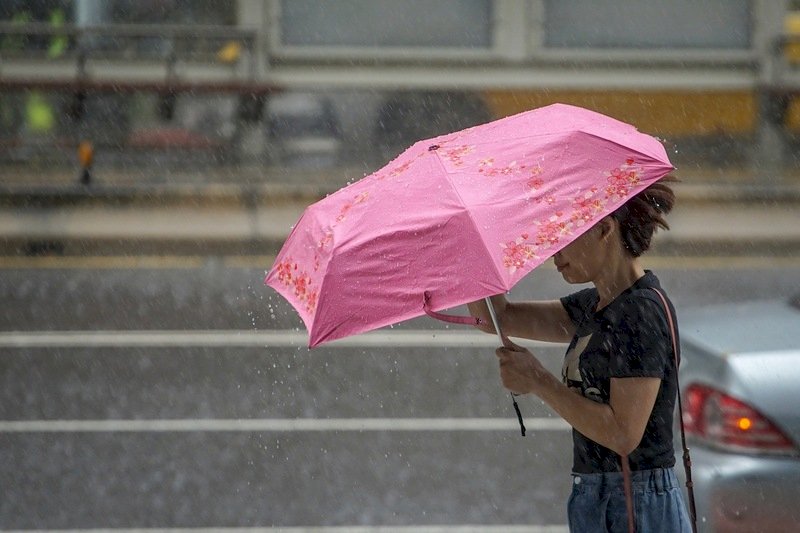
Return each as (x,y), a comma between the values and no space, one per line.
(250,210)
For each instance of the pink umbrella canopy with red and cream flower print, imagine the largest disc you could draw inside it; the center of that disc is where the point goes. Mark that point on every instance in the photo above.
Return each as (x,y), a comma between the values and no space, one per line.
(462,216)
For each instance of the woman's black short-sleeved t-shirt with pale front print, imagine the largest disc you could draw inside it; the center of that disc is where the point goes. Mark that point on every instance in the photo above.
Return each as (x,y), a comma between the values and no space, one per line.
(630,337)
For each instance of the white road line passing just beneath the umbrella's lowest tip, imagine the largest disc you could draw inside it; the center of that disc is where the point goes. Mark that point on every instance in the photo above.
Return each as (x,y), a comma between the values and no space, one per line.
(247,338)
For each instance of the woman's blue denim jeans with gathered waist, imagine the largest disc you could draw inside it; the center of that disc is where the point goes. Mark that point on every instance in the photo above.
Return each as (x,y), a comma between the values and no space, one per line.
(597,503)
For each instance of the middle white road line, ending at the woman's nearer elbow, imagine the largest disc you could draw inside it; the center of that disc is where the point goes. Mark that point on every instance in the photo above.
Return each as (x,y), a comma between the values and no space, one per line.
(280,425)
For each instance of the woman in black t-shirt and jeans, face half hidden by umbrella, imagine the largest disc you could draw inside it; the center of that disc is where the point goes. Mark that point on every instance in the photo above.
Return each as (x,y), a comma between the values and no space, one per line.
(618,385)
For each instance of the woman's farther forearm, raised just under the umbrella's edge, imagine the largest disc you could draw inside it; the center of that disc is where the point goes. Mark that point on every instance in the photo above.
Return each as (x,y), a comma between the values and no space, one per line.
(541,320)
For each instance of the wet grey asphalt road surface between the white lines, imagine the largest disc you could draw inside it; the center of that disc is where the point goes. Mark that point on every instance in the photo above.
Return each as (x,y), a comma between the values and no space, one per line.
(220,476)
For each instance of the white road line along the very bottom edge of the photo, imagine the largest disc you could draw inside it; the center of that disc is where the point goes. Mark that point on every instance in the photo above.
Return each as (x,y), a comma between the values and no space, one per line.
(340,529)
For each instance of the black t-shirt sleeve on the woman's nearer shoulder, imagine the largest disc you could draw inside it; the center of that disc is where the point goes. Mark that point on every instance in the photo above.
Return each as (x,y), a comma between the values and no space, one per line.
(639,342)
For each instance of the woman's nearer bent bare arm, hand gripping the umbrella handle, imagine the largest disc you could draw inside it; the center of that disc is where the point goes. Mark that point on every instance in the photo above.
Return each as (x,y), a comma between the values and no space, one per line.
(618,425)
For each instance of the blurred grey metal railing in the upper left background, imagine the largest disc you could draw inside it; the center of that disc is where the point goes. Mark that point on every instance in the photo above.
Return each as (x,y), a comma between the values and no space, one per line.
(128,57)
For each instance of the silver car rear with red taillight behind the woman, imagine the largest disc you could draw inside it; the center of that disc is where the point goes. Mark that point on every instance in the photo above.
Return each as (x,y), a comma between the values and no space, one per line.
(740,382)
